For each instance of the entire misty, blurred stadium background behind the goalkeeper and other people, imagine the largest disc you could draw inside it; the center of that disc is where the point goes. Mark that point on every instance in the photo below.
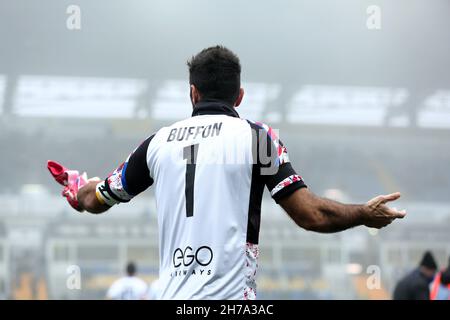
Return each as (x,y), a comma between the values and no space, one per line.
(363,112)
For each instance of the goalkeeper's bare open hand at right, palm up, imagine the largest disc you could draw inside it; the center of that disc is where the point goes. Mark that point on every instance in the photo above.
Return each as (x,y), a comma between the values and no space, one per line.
(378,214)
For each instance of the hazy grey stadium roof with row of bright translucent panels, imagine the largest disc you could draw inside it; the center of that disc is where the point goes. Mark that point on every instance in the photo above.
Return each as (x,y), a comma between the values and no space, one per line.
(320,66)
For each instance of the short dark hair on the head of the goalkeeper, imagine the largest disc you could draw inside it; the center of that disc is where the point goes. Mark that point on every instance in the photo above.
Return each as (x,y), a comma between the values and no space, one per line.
(216,73)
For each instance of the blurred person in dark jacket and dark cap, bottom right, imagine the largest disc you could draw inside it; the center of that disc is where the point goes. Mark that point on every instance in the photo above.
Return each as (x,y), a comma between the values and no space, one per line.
(415,285)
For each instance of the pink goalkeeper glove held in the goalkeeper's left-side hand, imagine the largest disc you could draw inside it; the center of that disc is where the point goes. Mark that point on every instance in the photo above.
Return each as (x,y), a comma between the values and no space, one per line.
(70,179)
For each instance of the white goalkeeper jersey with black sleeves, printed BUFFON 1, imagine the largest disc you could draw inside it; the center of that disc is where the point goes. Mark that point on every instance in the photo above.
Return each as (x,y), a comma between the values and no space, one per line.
(209,173)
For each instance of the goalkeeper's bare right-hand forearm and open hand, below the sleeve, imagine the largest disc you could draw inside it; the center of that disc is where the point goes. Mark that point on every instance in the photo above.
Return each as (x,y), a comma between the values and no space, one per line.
(323,215)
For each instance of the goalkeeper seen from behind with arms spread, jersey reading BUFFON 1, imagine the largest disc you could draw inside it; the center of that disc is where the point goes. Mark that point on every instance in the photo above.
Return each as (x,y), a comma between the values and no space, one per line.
(209,172)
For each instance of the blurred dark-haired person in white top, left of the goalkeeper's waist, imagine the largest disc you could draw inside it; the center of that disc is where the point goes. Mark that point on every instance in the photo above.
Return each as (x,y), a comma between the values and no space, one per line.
(129,287)
